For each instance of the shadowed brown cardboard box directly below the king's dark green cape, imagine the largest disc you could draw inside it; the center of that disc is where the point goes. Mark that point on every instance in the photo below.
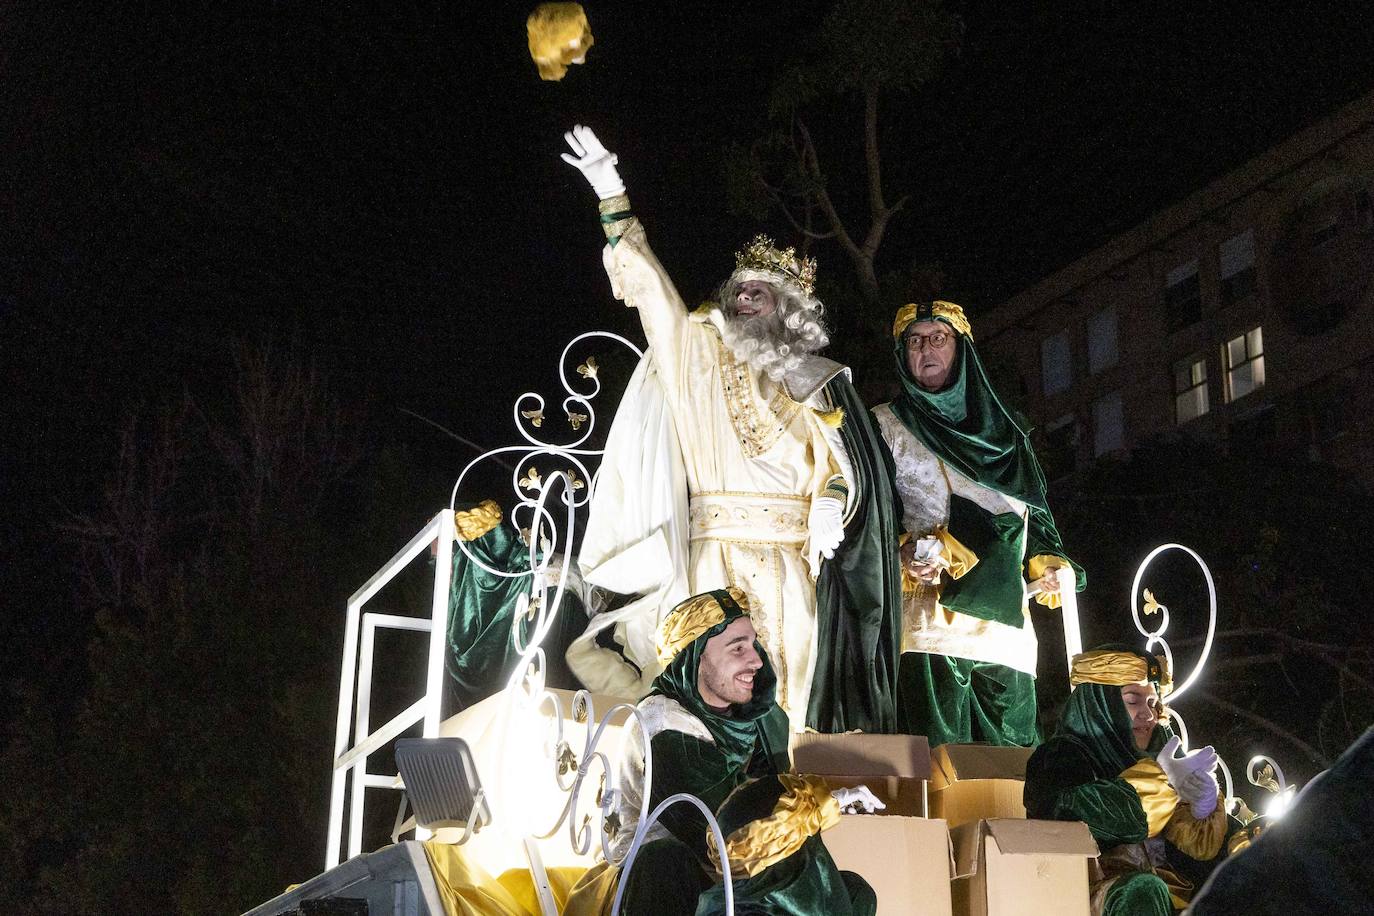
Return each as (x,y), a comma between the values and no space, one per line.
(894,767)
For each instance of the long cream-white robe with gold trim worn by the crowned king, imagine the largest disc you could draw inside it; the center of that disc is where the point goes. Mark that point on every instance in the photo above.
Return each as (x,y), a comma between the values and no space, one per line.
(751,457)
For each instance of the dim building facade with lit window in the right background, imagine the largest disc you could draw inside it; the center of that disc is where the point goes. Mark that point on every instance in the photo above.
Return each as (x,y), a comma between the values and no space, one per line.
(1241,315)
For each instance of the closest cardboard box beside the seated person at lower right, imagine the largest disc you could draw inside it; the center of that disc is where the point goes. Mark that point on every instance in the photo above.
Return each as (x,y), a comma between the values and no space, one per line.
(1022,869)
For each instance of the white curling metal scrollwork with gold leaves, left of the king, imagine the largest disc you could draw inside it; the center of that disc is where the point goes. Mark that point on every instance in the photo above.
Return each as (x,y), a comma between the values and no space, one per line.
(552,557)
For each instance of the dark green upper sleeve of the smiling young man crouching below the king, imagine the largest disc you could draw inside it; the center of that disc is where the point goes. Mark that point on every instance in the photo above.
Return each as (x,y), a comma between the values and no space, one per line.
(686,764)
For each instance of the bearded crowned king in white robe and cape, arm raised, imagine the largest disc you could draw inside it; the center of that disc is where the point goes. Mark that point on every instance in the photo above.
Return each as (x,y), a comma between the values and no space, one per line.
(741,458)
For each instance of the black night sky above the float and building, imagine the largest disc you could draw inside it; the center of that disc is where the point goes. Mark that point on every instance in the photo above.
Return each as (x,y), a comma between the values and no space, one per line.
(388,185)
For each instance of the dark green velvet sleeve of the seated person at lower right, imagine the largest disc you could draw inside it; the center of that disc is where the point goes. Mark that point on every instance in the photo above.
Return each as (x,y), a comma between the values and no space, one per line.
(1061,785)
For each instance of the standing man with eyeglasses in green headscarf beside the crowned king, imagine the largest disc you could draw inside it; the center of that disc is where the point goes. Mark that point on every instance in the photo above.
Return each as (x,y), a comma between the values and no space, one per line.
(979,539)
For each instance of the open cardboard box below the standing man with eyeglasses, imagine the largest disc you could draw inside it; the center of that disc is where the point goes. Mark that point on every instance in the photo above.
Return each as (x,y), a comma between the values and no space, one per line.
(978,782)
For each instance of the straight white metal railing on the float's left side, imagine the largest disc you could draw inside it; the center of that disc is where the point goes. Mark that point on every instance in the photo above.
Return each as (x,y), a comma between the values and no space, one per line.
(357,685)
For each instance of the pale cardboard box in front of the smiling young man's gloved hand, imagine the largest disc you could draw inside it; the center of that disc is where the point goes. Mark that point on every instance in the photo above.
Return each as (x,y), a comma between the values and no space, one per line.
(908,860)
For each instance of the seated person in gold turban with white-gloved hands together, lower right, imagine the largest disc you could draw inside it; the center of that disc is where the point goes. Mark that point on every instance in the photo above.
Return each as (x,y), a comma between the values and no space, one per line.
(1114,764)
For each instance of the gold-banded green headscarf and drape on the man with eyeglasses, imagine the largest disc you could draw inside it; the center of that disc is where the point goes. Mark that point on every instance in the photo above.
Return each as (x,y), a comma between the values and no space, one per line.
(969,429)
